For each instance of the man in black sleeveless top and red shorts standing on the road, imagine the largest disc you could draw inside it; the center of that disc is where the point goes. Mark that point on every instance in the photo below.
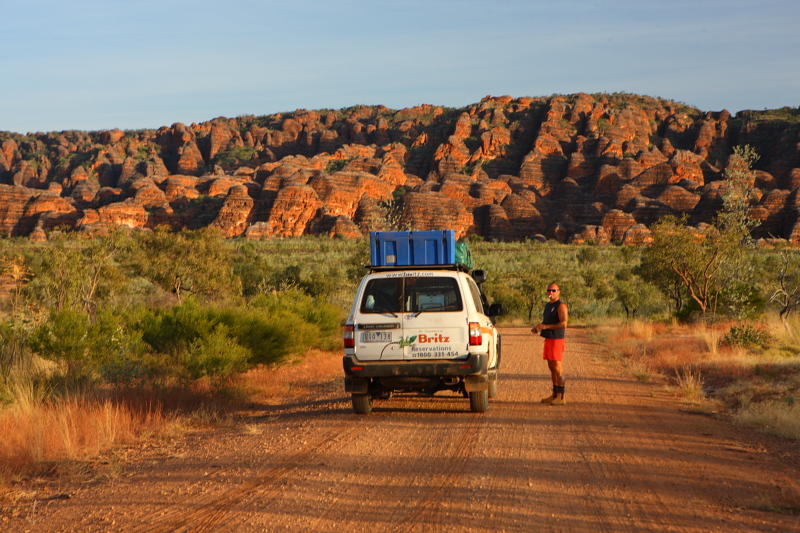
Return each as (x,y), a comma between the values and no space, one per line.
(553,329)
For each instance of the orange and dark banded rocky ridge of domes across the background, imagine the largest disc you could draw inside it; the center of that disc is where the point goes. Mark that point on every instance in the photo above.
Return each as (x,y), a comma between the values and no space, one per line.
(575,168)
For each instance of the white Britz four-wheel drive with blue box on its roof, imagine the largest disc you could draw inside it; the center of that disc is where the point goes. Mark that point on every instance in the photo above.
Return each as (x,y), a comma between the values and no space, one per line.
(420,322)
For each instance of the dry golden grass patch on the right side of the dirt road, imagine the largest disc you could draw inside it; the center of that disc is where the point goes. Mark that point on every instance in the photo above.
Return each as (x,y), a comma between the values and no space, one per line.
(756,385)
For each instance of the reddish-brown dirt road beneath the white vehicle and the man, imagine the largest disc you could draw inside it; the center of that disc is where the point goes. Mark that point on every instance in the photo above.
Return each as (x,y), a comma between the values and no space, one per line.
(620,456)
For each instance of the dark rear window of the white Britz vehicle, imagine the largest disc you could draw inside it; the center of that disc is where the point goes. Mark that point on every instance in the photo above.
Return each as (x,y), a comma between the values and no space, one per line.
(411,295)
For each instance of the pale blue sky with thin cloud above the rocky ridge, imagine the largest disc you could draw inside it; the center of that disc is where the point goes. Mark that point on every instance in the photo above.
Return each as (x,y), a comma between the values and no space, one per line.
(103,64)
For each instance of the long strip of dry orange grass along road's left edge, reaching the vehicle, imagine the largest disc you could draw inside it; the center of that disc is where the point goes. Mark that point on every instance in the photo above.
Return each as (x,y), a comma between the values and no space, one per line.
(39,428)
